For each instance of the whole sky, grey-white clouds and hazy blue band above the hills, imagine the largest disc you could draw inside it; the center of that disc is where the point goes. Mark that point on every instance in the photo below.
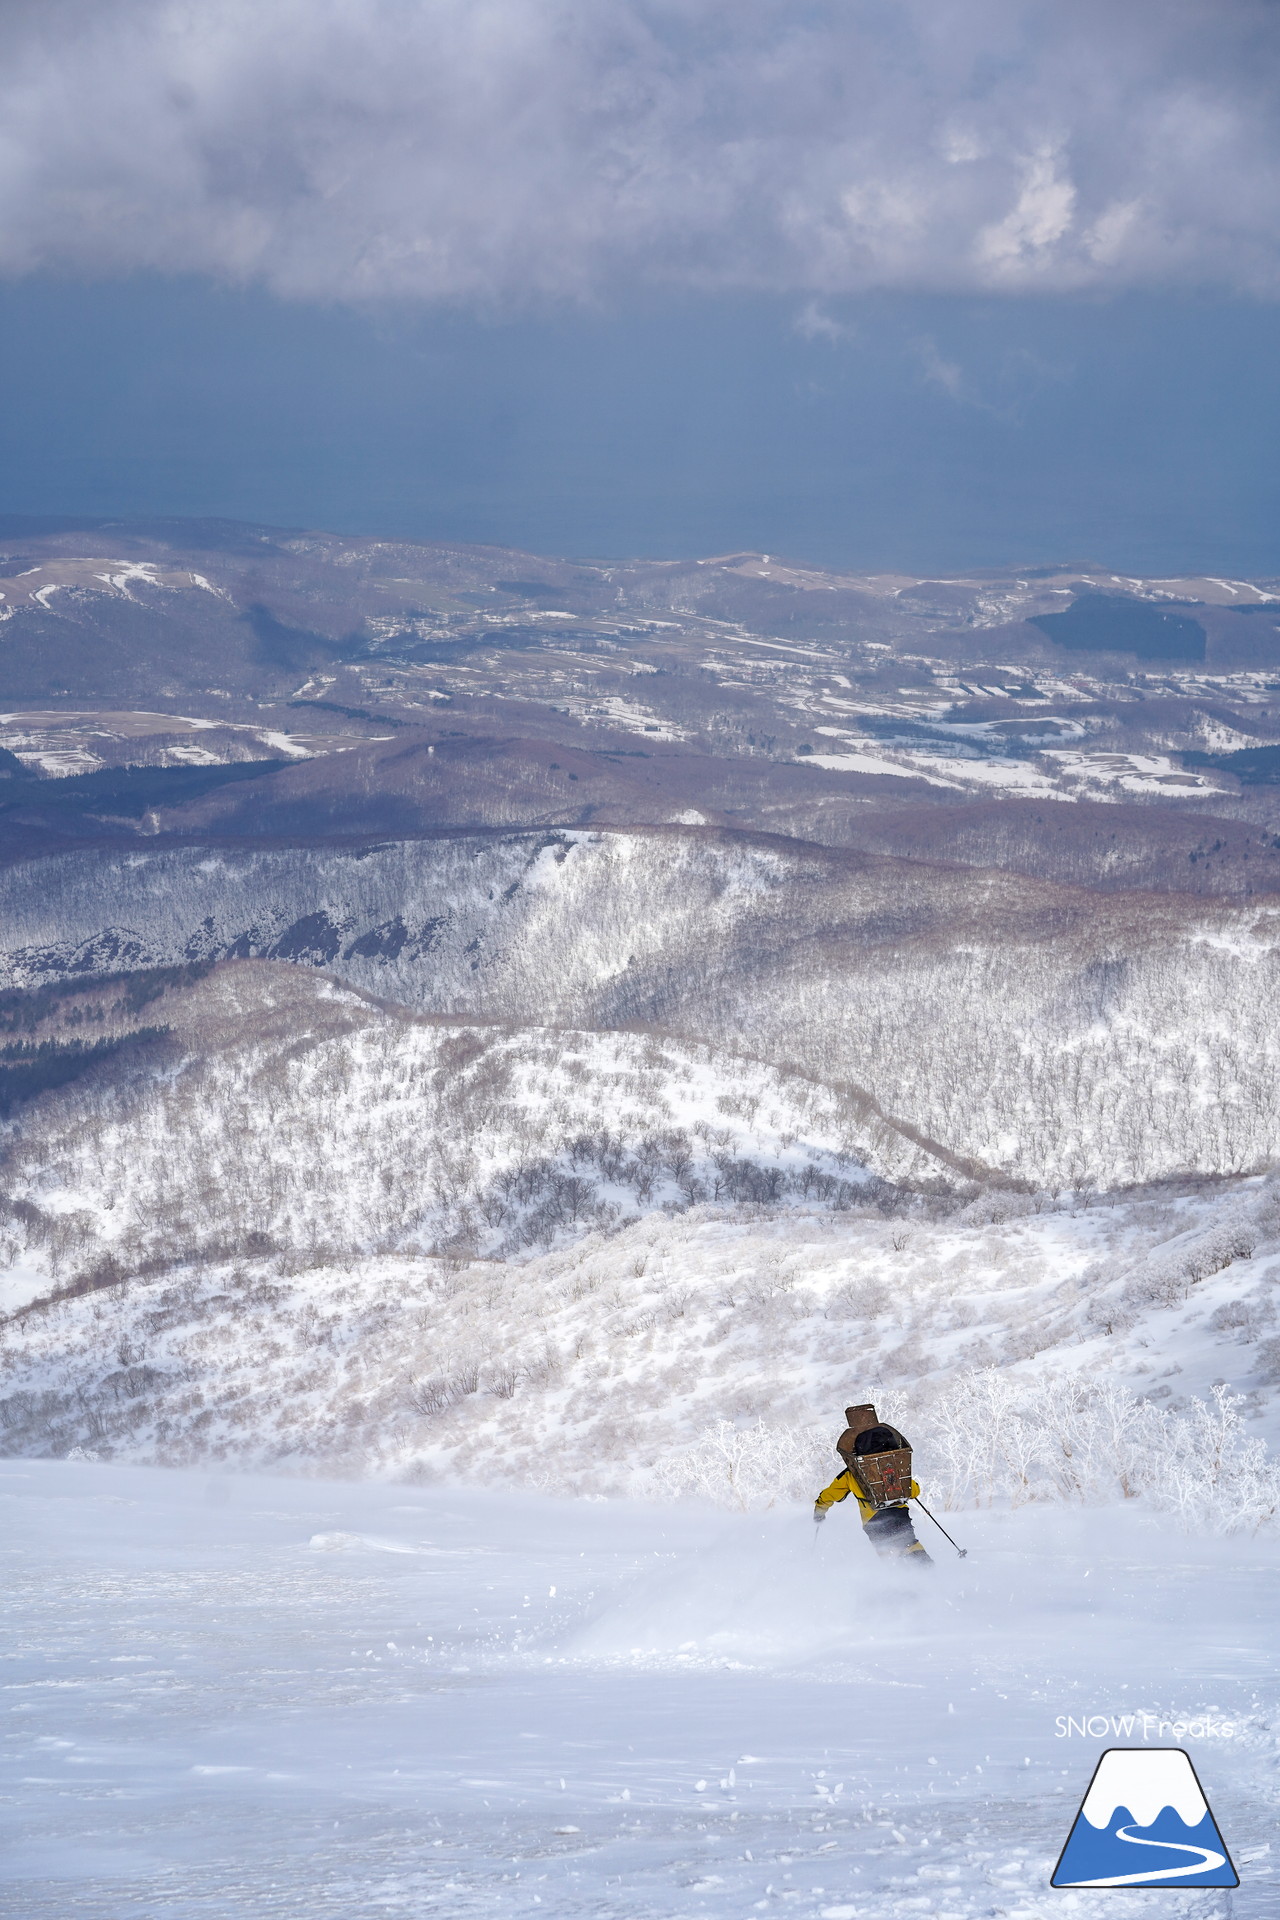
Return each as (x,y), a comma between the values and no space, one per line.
(897,285)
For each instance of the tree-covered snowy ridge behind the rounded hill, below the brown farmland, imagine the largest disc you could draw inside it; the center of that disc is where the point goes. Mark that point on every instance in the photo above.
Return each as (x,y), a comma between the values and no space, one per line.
(1003,1026)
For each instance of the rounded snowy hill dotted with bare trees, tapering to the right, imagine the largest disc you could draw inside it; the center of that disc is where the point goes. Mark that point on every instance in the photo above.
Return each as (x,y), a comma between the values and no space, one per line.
(277,1111)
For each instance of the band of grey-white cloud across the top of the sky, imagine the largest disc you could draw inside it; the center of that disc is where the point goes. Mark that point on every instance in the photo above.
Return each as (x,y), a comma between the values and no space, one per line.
(511,151)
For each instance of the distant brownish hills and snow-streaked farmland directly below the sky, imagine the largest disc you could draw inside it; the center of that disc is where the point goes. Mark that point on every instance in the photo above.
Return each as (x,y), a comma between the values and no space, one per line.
(1066,725)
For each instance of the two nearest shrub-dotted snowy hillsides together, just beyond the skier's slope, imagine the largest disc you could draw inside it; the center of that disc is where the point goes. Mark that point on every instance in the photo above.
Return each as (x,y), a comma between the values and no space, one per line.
(287,1222)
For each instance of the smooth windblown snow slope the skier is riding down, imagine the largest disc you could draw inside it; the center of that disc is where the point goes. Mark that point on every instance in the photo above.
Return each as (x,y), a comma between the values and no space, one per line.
(239,1696)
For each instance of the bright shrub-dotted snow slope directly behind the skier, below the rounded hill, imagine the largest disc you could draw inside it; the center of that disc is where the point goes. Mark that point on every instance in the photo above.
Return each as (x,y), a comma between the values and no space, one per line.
(598,1366)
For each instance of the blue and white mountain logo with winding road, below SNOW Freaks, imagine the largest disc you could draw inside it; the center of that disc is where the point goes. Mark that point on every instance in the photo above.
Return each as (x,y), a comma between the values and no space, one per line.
(1145,1823)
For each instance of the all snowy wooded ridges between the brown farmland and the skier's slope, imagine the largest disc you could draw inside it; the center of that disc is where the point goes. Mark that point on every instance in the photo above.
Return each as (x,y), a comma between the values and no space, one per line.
(392,1197)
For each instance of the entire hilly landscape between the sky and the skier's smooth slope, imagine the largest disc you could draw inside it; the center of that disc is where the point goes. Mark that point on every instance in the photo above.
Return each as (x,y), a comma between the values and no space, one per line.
(527,982)
